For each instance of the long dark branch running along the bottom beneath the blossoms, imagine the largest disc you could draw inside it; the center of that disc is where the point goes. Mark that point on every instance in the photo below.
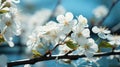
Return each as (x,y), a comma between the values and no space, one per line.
(45,58)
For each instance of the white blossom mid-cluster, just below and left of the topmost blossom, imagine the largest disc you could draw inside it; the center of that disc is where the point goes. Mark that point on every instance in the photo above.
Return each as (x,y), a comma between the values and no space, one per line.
(53,32)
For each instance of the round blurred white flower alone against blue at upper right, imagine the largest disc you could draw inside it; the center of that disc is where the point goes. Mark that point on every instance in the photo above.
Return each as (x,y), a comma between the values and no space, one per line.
(100,11)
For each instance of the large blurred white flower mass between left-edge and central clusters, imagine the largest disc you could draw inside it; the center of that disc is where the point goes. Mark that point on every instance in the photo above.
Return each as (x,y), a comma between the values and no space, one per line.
(38,19)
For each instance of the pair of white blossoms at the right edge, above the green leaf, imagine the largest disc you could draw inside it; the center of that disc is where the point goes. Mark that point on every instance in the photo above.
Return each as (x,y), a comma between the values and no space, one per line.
(104,33)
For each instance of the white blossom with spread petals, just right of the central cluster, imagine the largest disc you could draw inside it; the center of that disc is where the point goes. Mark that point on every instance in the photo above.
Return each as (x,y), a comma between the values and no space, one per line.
(101,31)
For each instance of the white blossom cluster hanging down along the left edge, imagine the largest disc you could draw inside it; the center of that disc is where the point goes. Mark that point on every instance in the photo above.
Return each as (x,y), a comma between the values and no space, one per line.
(9,23)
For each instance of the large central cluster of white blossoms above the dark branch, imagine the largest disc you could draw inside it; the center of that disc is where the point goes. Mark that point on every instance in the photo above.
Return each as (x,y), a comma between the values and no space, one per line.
(55,33)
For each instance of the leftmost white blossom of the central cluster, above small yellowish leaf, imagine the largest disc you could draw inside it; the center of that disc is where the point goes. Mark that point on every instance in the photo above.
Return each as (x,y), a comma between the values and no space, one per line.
(37,42)
